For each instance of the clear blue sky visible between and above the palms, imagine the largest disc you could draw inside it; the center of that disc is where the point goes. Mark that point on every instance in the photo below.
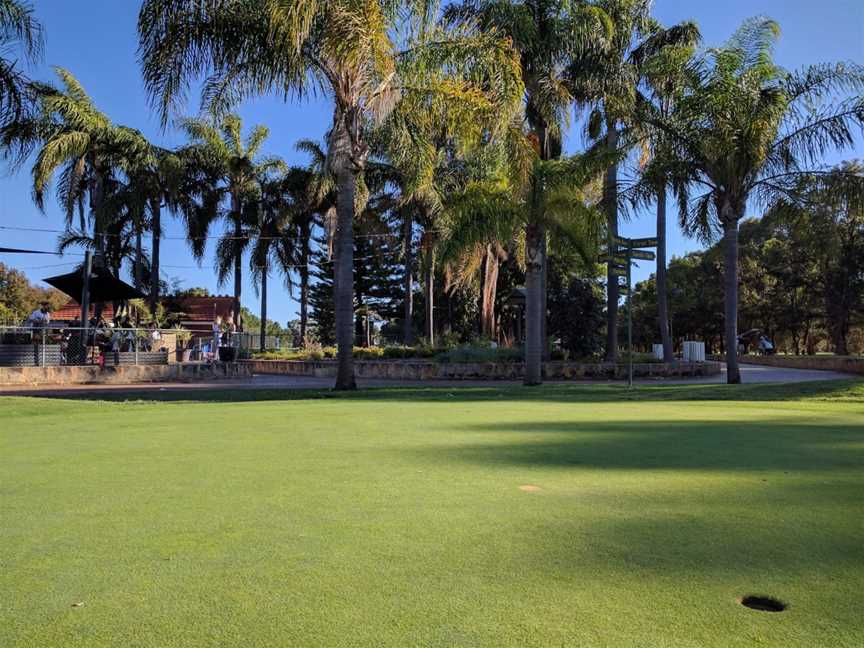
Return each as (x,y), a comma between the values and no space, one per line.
(96,40)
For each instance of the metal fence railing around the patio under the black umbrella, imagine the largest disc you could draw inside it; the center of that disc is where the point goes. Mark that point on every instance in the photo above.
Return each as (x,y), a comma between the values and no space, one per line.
(47,346)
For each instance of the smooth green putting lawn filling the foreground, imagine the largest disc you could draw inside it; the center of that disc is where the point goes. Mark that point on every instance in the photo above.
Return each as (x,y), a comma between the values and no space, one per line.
(395,518)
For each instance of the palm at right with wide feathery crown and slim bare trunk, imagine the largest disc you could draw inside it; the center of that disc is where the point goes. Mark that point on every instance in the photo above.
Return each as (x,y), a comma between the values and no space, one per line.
(743,129)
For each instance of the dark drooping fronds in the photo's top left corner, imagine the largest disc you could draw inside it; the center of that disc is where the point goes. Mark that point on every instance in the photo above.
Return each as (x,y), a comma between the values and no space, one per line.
(20,33)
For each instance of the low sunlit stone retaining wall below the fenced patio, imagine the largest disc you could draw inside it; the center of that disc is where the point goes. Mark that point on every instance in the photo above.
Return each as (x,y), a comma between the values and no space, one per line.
(123,374)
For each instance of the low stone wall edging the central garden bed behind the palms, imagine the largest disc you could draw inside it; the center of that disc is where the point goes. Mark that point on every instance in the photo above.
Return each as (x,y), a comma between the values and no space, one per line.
(428,370)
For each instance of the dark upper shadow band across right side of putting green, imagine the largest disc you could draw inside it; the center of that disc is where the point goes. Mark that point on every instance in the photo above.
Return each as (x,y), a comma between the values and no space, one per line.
(774,445)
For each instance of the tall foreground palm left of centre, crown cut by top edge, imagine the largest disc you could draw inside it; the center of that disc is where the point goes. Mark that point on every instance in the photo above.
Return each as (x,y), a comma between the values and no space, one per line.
(346,49)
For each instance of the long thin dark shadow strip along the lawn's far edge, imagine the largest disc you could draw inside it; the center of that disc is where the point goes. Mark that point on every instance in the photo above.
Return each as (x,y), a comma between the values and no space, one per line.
(843,390)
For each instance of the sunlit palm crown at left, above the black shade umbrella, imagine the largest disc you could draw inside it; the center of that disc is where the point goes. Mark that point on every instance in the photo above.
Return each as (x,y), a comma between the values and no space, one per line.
(76,142)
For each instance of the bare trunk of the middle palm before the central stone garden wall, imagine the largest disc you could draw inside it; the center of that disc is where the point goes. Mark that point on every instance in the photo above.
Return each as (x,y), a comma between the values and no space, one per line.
(533,304)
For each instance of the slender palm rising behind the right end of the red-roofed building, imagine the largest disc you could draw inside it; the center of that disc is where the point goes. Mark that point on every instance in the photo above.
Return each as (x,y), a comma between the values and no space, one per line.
(219,152)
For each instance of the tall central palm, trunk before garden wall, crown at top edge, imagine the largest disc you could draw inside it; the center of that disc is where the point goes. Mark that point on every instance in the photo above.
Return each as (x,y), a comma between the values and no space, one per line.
(550,36)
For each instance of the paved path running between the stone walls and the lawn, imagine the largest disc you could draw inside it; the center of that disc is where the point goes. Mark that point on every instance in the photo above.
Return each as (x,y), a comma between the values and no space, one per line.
(750,374)
